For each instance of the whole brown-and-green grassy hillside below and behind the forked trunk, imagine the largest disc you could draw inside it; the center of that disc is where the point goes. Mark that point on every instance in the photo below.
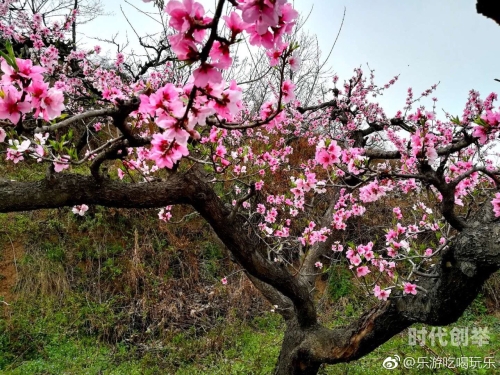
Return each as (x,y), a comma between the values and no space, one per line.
(119,292)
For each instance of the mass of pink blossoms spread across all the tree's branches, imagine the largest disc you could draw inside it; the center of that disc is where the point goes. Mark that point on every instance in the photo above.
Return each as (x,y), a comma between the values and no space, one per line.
(172,115)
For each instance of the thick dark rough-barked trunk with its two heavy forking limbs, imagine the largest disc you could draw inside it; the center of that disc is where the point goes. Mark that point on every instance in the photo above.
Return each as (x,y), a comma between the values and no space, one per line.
(459,275)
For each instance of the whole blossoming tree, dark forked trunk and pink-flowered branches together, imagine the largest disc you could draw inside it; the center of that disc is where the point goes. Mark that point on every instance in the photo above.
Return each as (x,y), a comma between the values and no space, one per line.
(280,186)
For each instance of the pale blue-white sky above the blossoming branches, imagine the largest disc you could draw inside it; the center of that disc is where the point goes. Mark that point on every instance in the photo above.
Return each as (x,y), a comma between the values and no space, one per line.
(425,41)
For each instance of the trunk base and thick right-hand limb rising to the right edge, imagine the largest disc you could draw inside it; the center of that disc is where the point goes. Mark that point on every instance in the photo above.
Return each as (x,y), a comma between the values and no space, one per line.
(472,257)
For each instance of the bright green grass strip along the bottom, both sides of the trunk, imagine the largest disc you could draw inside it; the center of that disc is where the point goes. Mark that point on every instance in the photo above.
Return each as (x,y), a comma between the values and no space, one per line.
(244,348)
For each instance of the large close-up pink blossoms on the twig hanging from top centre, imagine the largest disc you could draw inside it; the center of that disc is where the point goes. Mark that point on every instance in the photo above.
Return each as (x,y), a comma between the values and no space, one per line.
(266,21)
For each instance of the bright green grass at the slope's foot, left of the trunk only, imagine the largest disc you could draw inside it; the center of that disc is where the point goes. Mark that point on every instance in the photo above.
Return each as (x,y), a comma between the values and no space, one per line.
(236,349)
